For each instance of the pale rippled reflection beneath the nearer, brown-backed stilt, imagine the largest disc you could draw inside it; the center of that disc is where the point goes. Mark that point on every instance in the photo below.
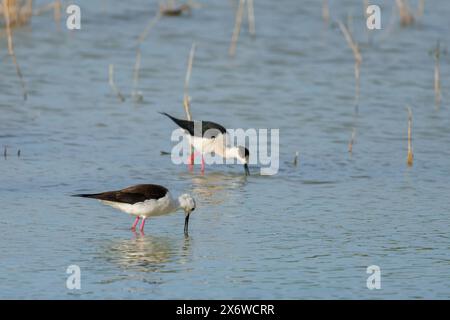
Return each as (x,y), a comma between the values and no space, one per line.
(147,253)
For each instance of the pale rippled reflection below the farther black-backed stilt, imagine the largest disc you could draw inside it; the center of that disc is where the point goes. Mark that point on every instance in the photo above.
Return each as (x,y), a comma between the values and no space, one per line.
(215,187)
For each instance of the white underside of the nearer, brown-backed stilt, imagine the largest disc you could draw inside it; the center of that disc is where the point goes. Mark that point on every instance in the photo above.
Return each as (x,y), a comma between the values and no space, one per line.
(148,208)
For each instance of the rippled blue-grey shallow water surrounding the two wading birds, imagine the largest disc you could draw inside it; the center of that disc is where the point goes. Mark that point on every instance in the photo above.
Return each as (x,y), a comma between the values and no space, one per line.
(308,232)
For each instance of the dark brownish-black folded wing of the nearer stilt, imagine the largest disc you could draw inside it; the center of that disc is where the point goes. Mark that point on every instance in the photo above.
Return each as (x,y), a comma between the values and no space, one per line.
(131,195)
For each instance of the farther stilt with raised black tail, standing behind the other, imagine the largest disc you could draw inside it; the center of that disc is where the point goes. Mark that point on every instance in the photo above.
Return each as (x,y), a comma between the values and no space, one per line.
(213,142)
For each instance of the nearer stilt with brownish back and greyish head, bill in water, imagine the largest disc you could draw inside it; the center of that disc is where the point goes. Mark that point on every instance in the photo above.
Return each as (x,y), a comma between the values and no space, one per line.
(144,201)
